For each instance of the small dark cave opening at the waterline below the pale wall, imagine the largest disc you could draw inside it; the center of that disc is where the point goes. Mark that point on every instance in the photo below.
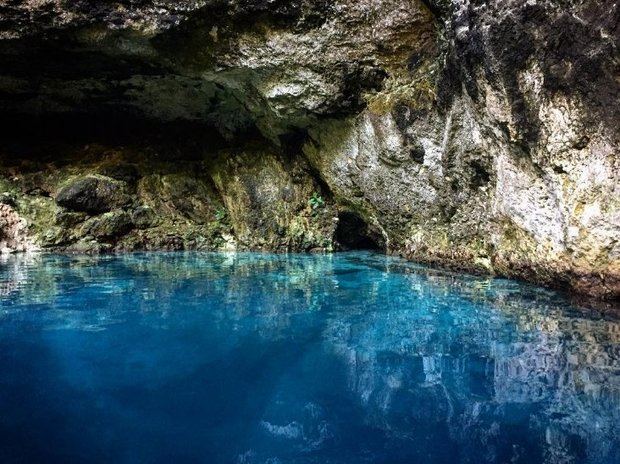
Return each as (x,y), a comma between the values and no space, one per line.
(354,233)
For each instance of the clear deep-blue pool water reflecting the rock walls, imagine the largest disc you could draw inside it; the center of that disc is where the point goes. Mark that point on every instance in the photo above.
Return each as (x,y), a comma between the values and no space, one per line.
(249,358)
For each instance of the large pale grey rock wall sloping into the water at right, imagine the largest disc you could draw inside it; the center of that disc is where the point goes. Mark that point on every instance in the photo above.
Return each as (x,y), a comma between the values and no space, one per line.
(505,170)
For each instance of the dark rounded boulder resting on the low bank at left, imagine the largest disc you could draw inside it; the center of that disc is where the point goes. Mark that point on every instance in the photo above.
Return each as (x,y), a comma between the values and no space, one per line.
(92,194)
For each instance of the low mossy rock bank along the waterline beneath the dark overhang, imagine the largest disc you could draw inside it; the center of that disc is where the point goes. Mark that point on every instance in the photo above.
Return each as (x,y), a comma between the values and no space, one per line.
(100,198)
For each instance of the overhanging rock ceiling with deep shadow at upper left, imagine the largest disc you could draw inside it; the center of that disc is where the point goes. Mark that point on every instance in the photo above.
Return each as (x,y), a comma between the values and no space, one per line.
(235,64)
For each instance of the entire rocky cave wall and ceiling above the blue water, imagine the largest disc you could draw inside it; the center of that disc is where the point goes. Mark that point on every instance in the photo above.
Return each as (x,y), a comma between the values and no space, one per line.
(477,135)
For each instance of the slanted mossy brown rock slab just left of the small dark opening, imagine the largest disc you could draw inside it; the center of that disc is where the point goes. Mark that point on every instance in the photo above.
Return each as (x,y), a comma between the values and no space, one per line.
(269,205)
